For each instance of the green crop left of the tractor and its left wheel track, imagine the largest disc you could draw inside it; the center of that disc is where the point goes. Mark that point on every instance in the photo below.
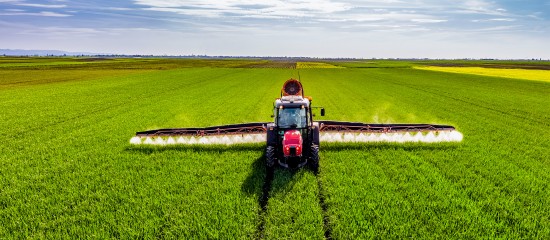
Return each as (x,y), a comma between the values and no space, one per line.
(68,169)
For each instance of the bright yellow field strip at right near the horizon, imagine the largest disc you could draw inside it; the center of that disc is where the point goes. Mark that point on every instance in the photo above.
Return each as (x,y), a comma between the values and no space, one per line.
(526,74)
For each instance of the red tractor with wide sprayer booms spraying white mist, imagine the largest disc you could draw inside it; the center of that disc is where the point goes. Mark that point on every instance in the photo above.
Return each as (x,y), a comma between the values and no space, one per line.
(293,138)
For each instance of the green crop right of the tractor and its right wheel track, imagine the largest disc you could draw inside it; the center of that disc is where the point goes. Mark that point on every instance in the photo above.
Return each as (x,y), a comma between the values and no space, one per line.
(477,188)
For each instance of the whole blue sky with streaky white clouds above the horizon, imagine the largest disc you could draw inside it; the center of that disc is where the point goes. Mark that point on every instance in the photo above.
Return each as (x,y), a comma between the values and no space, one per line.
(505,29)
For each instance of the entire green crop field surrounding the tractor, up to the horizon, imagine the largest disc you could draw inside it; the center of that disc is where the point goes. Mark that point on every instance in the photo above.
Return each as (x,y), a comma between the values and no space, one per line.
(67,169)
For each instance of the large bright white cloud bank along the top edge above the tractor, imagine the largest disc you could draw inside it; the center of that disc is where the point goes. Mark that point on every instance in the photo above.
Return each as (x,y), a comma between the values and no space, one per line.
(329,11)
